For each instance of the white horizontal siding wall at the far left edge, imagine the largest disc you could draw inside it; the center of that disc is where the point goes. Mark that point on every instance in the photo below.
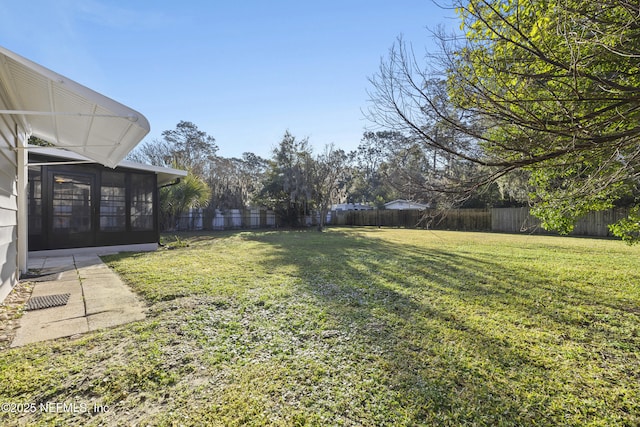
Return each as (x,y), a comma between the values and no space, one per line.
(8,205)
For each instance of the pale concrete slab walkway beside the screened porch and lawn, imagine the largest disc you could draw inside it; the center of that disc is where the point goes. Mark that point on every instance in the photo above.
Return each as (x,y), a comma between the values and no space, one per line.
(98,299)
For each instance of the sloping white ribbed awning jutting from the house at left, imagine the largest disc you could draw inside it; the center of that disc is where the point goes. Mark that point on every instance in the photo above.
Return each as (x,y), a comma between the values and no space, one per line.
(67,114)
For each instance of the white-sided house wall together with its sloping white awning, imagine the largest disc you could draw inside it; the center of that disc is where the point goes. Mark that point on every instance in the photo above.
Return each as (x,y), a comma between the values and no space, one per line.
(37,101)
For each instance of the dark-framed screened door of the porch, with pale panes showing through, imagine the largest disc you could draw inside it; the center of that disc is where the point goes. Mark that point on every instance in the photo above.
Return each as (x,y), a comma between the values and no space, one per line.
(72,203)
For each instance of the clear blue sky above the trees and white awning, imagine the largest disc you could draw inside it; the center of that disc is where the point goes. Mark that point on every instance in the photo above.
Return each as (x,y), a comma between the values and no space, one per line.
(242,71)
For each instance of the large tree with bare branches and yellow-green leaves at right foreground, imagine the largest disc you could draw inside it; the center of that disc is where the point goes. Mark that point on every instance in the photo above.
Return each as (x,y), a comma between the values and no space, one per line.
(551,87)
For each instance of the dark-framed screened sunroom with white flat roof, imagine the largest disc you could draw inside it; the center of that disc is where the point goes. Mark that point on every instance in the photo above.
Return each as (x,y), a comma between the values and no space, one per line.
(75,202)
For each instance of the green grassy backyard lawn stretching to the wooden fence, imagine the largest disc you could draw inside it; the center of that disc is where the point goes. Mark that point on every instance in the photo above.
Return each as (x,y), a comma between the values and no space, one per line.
(355,327)
